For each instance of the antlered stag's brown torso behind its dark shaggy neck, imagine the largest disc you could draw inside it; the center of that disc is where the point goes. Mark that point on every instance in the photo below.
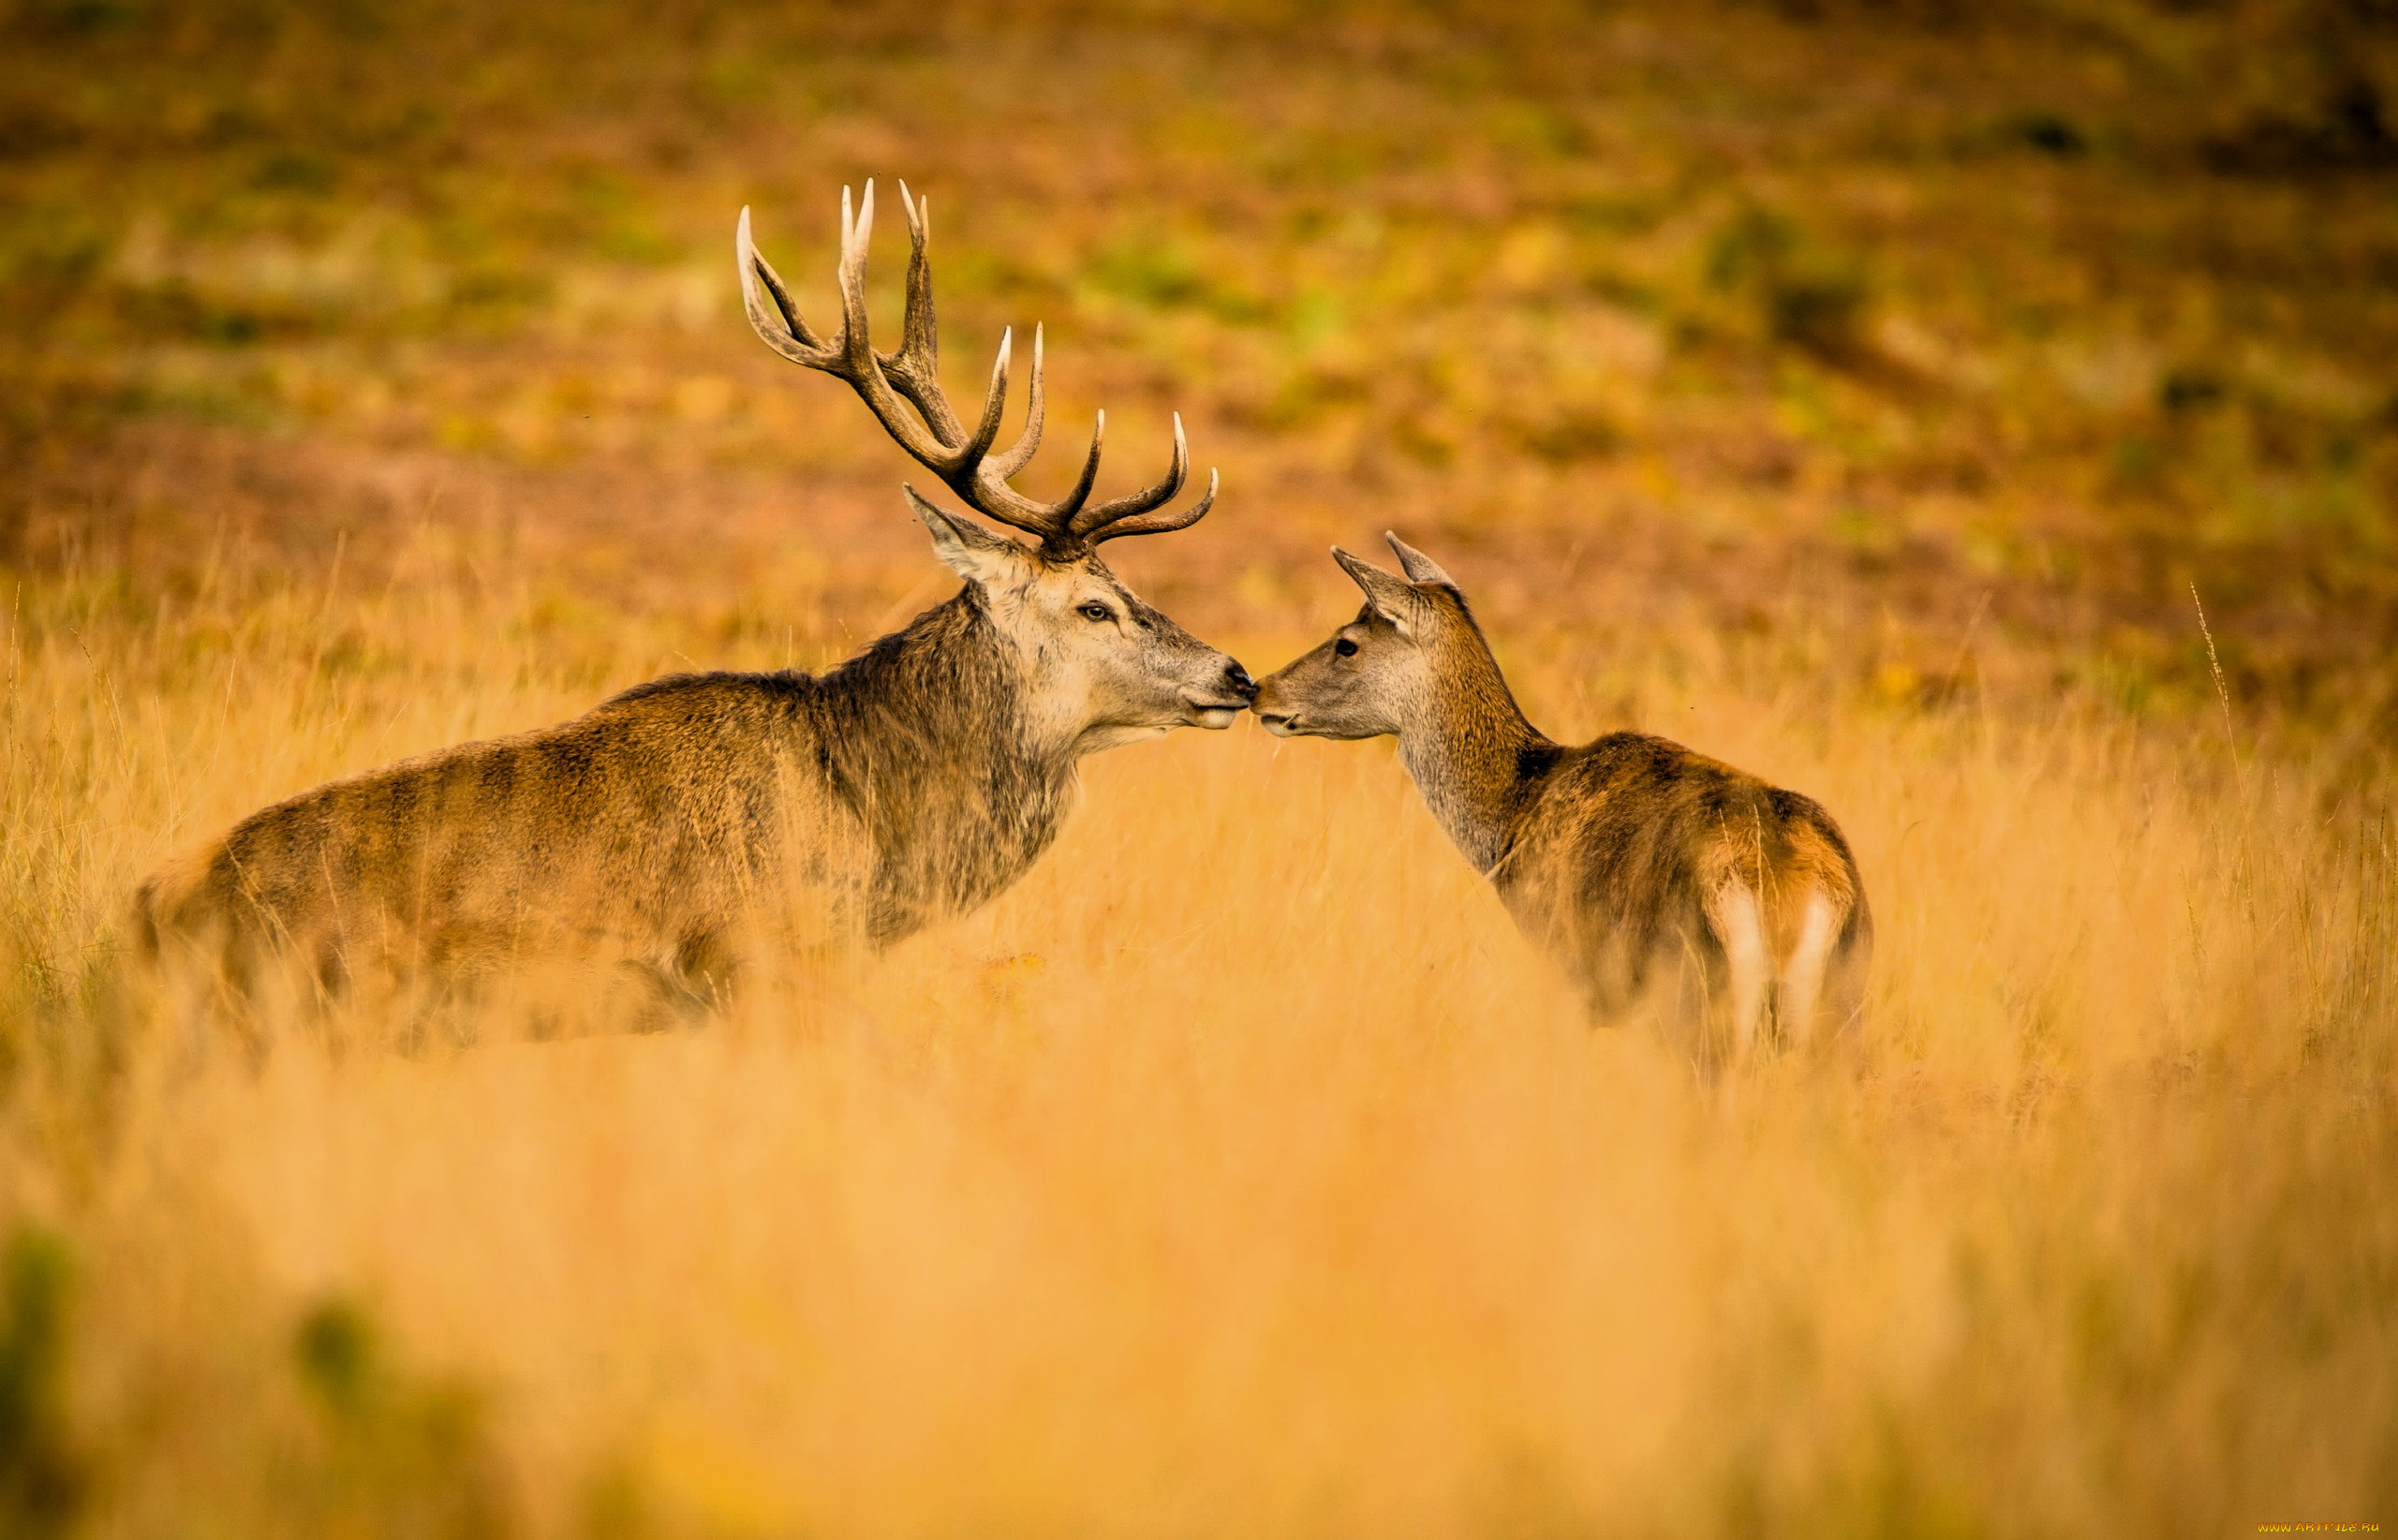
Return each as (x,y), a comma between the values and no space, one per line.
(644,829)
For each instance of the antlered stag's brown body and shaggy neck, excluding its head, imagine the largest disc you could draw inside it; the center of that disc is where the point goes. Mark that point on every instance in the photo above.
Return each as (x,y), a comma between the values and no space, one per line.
(668,826)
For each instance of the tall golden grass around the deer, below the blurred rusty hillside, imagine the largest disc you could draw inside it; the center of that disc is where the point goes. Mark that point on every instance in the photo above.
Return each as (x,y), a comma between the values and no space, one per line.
(1239,1174)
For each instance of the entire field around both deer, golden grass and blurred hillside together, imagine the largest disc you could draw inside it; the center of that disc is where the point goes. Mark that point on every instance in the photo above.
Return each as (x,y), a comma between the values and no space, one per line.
(1867,395)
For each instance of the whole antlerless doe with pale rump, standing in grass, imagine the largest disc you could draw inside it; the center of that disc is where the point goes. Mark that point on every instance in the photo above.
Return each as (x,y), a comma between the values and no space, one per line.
(1644,867)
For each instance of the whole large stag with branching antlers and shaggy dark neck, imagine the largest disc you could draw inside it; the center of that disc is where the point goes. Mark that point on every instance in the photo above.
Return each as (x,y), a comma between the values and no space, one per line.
(680,822)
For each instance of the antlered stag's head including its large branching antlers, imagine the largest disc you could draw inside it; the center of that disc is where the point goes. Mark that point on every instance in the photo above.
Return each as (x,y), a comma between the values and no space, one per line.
(1107,668)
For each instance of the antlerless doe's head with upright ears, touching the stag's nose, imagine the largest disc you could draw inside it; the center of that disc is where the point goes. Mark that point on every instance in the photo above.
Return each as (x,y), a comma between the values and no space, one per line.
(1385,670)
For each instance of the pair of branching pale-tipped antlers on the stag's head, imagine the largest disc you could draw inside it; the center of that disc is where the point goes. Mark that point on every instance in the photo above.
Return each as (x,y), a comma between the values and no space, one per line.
(934,433)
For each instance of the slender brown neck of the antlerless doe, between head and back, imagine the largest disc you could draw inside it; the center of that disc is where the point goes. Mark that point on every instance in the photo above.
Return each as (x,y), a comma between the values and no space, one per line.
(1474,757)
